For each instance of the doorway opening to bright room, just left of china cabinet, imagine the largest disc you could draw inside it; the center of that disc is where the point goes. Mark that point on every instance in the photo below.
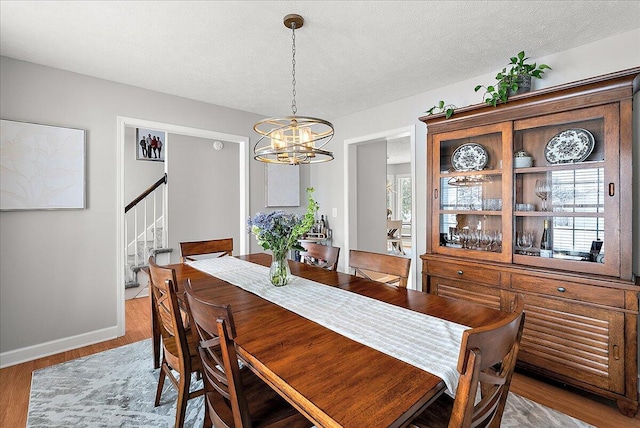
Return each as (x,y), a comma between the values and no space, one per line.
(379,176)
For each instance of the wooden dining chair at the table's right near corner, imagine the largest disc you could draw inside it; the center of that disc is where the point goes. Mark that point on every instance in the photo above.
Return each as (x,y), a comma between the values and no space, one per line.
(486,363)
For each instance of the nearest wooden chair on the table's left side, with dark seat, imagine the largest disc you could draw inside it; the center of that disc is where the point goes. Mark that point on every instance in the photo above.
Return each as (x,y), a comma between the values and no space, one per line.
(233,397)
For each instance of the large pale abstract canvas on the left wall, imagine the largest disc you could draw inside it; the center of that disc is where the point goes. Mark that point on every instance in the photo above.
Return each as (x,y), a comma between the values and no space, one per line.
(42,167)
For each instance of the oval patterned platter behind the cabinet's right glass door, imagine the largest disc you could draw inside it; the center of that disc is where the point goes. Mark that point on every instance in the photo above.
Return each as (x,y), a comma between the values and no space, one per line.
(571,145)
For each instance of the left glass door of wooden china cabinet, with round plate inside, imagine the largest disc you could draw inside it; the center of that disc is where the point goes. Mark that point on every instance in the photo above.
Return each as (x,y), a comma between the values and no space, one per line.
(469,185)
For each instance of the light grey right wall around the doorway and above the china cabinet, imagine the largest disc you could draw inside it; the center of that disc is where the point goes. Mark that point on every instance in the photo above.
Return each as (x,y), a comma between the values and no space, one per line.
(608,55)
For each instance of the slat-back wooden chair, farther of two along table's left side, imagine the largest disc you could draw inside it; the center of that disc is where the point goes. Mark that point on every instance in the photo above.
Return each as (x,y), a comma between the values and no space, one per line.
(179,349)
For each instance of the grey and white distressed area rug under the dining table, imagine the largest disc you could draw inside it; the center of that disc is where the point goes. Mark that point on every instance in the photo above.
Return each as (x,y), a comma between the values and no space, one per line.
(116,388)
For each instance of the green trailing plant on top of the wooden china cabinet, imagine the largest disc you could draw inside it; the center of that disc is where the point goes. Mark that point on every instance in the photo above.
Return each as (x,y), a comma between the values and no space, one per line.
(509,79)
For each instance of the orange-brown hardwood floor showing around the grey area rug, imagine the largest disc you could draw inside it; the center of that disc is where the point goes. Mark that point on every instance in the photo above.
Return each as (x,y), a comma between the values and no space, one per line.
(15,381)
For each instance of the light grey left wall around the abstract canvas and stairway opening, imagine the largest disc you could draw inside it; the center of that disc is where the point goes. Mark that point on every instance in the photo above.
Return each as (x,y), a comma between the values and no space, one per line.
(58,268)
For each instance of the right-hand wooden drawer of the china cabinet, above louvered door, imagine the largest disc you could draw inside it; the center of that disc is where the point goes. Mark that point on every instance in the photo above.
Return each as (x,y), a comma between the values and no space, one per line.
(569,290)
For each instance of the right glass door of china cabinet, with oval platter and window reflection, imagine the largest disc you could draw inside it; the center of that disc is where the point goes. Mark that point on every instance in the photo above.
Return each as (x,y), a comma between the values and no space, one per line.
(570,185)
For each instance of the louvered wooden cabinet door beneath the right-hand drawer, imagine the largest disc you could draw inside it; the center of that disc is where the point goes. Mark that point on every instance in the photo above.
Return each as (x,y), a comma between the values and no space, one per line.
(579,341)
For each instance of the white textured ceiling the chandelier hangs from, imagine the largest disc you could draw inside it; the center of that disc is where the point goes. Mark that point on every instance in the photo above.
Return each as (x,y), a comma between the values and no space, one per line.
(351,55)
